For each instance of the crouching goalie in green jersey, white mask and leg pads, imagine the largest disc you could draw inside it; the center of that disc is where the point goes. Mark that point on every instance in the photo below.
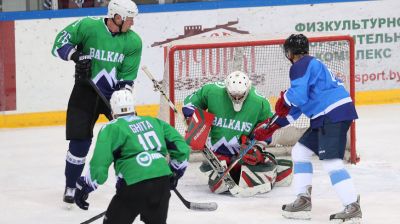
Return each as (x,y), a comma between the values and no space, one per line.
(236,109)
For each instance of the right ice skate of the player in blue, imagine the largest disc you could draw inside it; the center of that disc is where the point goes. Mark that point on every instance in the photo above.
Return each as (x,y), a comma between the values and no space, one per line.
(351,214)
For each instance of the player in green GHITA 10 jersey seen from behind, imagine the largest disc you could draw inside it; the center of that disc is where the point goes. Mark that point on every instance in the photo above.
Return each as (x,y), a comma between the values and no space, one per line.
(138,146)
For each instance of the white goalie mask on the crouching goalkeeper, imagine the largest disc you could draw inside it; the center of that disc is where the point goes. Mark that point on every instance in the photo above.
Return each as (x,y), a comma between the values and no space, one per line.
(238,86)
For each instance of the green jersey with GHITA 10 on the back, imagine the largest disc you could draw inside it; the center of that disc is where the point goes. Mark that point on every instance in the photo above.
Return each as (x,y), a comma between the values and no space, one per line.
(138,146)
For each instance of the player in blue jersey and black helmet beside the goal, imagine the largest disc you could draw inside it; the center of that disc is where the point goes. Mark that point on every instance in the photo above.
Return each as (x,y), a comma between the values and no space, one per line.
(317,93)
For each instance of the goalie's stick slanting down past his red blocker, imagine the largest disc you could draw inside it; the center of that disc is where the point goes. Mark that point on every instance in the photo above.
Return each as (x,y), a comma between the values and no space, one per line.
(234,189)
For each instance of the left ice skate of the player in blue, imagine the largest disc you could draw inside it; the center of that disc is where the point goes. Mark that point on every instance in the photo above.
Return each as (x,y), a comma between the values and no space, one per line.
(300,208)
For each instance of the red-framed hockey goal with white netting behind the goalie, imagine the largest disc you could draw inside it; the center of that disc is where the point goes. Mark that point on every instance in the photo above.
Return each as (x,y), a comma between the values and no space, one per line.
(192,62)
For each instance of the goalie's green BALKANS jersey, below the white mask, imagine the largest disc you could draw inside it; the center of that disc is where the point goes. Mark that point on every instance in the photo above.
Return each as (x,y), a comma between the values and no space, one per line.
(228,125)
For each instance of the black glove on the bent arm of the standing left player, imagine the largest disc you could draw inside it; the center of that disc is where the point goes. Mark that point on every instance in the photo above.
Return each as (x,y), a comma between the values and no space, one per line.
(83,64)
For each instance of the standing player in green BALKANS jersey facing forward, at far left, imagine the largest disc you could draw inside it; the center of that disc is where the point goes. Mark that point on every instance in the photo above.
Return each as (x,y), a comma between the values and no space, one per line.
(107,55)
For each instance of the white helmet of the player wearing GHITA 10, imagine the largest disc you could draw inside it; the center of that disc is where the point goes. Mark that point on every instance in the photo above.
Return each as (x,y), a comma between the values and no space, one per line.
(122,102)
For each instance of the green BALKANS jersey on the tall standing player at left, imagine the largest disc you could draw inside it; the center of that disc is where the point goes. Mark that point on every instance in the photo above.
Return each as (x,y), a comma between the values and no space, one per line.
(114,57)
